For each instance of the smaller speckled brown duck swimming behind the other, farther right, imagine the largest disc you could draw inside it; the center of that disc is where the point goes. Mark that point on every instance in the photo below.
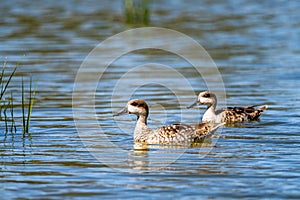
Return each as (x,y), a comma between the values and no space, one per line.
(227,115)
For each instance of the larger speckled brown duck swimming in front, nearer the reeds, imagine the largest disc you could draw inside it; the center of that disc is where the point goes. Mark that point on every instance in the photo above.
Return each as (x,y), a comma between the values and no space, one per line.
(171,134)
